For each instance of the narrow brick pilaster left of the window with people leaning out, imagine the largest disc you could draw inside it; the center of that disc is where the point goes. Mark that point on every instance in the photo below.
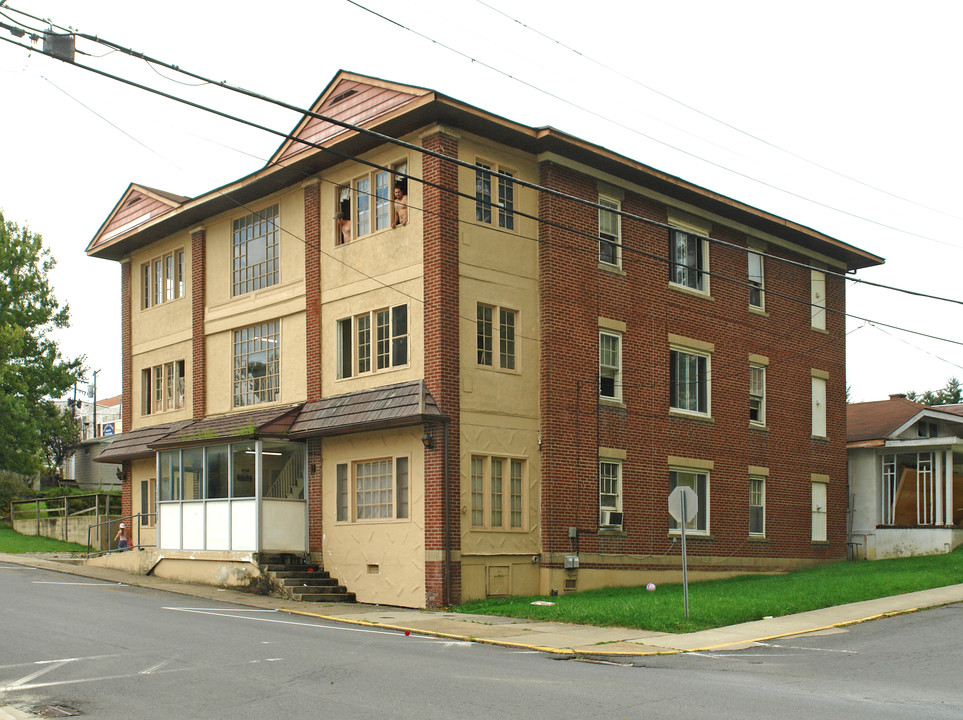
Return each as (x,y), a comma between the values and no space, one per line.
(312,287)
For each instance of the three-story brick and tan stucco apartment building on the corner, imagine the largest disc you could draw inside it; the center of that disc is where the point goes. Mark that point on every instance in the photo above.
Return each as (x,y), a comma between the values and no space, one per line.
(447,354)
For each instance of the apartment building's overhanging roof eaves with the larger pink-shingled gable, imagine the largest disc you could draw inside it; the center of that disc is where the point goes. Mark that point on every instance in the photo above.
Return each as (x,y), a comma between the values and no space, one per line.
(394,110)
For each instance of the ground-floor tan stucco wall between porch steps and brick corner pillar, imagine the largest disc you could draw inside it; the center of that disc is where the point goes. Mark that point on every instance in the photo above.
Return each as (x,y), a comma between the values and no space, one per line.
(396,547)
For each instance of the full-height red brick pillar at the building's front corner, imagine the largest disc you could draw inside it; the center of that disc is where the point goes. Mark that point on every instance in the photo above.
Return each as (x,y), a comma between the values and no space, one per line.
(441,363)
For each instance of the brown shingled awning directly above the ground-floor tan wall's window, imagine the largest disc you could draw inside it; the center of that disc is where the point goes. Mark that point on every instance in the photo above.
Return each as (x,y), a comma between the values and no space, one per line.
(389,406)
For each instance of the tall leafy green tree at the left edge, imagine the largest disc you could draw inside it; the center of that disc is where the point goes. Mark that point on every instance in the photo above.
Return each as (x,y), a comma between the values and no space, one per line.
(32,369)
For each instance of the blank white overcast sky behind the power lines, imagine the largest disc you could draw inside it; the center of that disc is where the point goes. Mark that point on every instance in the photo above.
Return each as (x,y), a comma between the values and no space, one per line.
(869,89)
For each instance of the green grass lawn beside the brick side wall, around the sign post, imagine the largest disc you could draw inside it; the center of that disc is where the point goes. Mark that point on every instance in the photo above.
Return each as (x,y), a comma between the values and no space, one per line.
(715,603)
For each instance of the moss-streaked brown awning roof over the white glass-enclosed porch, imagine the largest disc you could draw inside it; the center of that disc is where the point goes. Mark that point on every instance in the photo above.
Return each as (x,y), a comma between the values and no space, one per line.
(273,422)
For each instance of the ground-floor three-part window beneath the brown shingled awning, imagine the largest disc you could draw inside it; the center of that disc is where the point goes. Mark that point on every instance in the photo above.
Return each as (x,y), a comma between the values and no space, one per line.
(376,490)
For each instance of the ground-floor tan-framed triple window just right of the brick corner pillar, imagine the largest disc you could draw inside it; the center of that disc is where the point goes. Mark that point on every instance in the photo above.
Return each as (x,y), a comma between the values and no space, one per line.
(496,493)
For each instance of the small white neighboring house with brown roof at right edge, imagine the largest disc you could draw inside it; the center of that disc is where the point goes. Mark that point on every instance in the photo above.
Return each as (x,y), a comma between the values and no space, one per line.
(905,478)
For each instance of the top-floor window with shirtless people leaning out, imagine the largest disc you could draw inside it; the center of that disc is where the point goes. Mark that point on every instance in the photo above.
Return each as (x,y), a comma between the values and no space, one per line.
(366,204)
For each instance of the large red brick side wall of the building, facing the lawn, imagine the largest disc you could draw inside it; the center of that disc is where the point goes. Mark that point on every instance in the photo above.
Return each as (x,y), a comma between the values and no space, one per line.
(574,293)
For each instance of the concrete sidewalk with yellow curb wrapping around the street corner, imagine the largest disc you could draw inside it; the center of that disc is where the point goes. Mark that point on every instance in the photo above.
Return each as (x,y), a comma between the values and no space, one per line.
(557,638)
